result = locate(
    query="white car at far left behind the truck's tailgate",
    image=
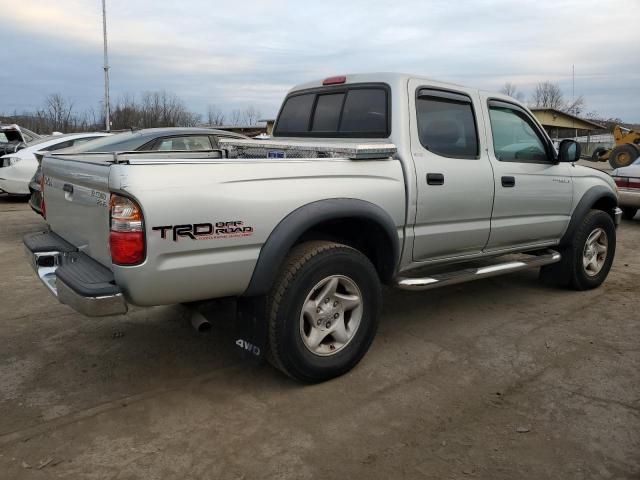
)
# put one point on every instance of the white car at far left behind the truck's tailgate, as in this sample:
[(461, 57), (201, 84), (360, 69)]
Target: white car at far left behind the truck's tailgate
[(16, 169)]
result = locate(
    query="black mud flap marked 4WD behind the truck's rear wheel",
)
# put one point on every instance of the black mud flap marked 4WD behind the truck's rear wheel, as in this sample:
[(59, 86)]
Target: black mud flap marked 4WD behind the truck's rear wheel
[(251, 328)]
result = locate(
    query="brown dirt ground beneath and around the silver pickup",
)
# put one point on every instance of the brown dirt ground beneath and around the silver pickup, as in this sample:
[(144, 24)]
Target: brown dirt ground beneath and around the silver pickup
[(497, 379)]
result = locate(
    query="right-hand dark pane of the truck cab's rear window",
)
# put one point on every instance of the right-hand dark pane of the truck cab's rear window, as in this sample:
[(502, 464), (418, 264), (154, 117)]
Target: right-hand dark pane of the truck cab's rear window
[(365, 110)]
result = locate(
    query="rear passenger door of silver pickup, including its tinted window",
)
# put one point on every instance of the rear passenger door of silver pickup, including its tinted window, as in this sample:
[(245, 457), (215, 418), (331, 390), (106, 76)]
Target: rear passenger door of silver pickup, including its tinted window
[(455, 180)]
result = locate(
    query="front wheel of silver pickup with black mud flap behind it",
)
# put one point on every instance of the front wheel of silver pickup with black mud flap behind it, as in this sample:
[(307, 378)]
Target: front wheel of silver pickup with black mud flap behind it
[(571, 271)]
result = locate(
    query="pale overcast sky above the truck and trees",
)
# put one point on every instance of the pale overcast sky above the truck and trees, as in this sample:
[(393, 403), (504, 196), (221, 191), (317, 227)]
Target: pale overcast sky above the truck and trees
[(250, 52)]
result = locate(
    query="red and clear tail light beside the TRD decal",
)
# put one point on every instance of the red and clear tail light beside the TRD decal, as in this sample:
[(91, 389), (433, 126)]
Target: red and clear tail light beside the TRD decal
[(126, 238)]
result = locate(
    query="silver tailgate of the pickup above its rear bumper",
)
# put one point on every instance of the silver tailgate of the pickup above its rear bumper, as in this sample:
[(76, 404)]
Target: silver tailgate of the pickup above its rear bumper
[(76, 195)]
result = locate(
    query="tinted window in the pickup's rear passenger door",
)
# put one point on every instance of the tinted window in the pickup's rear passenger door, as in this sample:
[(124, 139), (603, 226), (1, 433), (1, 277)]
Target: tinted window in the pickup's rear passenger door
[(446, 124)]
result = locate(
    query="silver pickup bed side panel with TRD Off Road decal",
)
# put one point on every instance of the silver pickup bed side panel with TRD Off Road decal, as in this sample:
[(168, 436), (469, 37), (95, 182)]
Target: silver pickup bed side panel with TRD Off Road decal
[(258, 193)]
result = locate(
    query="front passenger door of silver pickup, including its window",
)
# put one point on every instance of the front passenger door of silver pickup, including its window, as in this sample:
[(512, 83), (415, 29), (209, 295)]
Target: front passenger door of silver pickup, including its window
[(534, 193)]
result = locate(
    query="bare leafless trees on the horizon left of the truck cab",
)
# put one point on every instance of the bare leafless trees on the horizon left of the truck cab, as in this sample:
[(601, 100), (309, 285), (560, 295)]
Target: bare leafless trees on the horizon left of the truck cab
[(149, 110)]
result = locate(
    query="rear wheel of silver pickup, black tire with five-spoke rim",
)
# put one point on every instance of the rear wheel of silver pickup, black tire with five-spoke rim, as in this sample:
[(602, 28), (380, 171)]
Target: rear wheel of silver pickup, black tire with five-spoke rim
[(294, 347)]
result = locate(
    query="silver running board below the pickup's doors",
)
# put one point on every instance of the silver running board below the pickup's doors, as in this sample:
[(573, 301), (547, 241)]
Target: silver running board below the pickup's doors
[(546, 257)]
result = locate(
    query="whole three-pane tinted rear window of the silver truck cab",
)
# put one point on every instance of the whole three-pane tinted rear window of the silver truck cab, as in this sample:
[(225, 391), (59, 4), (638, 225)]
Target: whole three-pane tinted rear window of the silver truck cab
[(352, 111)]
